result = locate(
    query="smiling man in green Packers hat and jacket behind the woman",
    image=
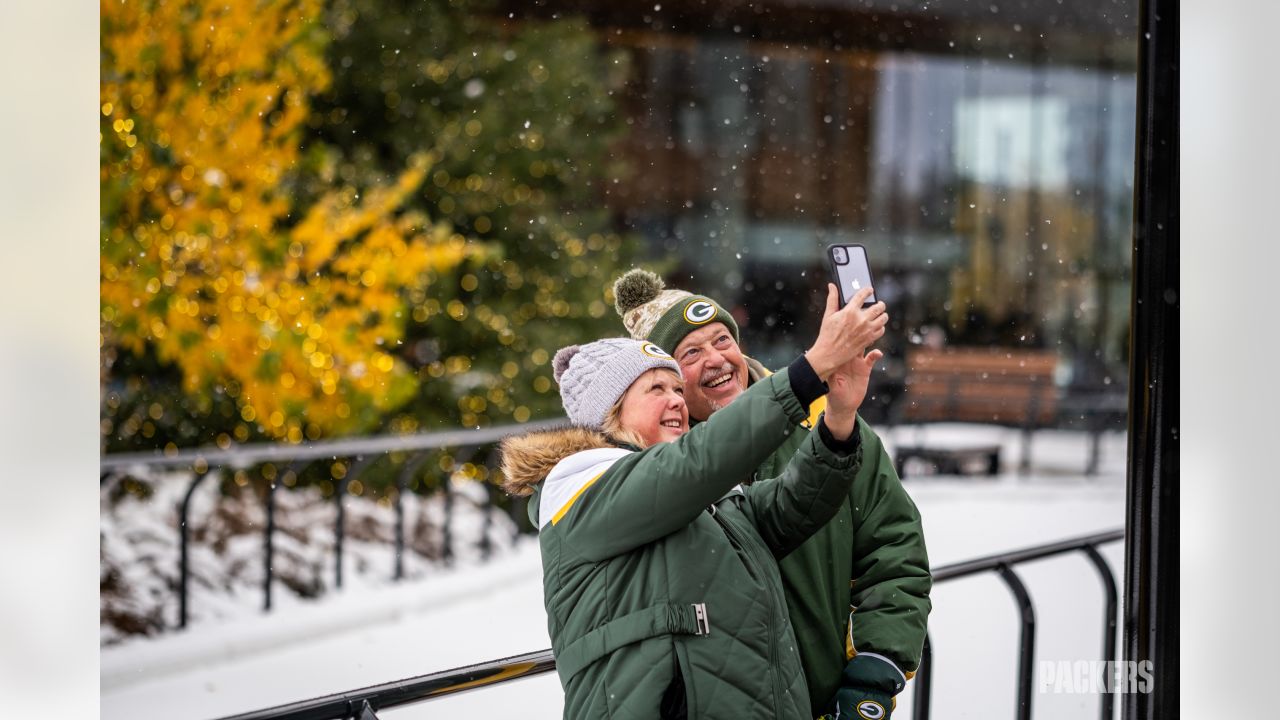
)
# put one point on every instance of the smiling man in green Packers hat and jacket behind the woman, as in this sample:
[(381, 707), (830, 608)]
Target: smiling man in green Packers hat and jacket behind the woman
[(858, 591)]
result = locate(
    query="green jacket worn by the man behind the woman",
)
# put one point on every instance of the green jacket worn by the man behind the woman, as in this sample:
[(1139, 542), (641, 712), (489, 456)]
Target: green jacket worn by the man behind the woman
[(861, 585)]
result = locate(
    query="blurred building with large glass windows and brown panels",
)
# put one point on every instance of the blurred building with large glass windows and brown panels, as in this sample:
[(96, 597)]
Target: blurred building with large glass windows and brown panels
[(981, 151)]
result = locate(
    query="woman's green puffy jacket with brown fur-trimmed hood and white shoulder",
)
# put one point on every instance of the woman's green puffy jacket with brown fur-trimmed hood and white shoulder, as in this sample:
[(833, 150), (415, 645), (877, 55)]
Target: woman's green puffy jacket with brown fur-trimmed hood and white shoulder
[(660, 571)]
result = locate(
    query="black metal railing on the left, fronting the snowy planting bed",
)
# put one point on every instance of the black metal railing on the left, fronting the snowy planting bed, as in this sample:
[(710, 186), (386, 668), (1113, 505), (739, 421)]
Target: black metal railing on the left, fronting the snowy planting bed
[(362, 453)]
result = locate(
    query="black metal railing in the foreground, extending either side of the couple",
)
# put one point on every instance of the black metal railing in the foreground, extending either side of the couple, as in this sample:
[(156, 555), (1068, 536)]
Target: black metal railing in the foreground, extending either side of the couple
[(364, 704)]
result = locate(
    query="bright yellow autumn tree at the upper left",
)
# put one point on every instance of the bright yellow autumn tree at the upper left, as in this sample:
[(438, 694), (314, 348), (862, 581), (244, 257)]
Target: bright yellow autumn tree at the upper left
[(211, 268)]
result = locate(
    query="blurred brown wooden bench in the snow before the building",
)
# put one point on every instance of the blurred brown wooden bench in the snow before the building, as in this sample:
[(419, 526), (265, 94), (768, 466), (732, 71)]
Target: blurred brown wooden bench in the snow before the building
[(1011, 388)]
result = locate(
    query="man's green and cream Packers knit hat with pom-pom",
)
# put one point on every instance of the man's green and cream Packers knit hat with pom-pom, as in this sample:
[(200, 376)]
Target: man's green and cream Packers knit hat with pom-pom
[(665, 317)]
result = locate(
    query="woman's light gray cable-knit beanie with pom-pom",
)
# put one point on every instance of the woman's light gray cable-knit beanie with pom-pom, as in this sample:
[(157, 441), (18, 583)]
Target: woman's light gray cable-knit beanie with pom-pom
[(595, 376)]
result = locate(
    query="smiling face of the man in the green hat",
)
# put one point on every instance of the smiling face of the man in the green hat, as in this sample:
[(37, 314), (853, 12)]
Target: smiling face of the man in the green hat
[(714, 367)]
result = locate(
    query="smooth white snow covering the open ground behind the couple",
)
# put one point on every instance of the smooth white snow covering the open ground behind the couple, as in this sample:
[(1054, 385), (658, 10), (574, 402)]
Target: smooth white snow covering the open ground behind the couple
[(371, 635)]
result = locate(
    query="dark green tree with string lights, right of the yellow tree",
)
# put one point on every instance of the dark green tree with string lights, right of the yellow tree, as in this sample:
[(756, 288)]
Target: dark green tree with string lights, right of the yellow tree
[(522, 121)]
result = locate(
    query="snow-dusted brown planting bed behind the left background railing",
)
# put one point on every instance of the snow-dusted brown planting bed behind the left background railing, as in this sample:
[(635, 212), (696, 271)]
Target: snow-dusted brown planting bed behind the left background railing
[(140, 548)]
